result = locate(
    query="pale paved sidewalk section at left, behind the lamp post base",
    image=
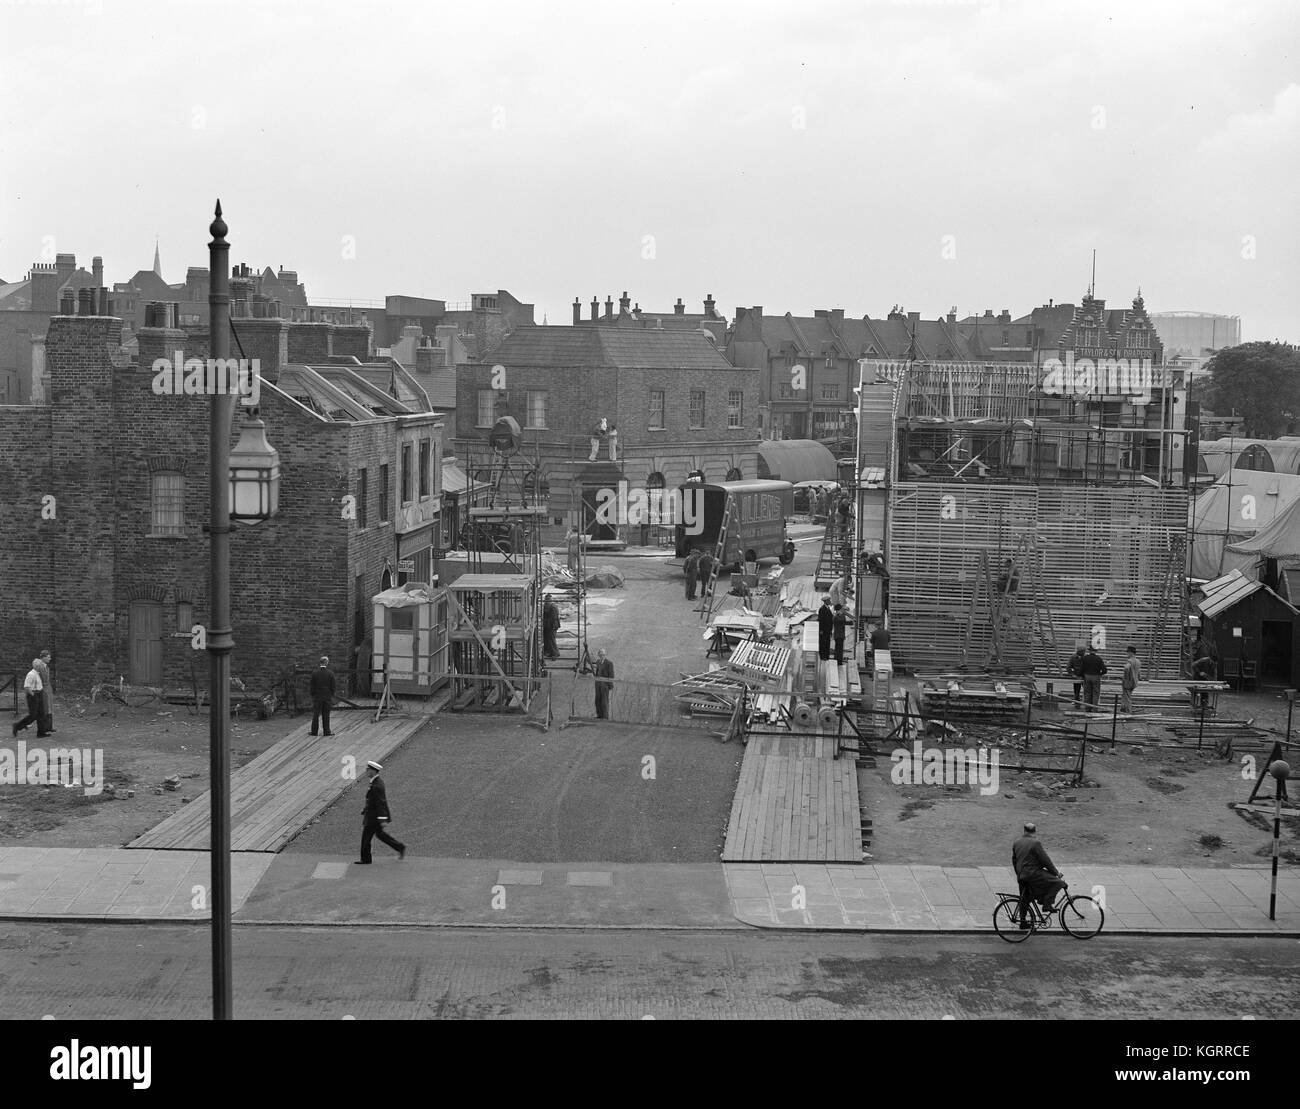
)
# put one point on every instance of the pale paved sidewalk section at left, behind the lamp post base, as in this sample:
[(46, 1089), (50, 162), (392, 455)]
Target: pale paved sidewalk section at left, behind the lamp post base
[(114, 883)]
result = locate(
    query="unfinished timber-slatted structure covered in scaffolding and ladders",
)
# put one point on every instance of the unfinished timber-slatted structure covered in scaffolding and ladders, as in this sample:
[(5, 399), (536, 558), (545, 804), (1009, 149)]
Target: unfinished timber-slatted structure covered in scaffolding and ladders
[(985, 479)]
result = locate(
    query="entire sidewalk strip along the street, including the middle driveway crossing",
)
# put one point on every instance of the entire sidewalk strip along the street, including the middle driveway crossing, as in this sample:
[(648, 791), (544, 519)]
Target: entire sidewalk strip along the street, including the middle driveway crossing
[(116, 885)]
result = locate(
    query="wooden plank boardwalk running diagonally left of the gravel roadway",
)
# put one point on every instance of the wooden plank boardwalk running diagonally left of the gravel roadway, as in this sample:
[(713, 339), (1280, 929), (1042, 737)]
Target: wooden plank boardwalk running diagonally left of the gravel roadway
[(276, 795)]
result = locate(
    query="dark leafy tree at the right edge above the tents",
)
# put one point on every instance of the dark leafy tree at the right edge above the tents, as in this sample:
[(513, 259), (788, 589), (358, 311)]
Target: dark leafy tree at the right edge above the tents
[(1260, 383)]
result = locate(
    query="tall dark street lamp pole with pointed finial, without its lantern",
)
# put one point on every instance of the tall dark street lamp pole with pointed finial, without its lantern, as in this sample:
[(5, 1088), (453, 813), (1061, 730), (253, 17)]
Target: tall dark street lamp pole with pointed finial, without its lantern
[(220, 639)]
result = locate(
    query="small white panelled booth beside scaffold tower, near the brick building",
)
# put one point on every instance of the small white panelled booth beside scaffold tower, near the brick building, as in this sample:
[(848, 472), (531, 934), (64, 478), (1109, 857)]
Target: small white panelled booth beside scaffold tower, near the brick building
[(410, 639)]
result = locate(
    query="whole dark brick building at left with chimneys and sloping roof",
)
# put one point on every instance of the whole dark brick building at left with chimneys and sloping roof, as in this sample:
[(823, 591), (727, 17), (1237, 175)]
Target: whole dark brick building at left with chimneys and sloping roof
[(105, 491)]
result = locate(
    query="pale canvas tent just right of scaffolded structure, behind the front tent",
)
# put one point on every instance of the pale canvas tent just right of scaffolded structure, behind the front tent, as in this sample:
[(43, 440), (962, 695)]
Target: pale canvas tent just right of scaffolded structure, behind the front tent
[(1236, 509)]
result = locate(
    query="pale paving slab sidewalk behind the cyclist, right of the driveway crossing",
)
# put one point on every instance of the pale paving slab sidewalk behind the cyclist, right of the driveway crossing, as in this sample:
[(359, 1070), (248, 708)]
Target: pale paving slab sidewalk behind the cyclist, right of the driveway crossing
[(926, 899)]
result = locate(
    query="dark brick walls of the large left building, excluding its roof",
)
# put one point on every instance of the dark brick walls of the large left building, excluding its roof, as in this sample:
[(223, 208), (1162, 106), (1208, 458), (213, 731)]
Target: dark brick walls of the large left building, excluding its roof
[(70, 583)]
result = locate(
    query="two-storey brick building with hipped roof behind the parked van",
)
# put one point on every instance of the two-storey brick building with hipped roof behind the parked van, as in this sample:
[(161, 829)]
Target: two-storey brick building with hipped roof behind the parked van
[(679, 406)]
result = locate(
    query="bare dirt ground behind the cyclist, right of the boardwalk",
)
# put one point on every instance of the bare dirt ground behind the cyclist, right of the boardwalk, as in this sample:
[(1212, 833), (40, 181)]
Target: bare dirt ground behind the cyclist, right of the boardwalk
[(1143, 803)]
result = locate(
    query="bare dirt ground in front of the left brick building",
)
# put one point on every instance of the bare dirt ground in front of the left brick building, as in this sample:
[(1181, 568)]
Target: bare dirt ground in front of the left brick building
[(142, 747)]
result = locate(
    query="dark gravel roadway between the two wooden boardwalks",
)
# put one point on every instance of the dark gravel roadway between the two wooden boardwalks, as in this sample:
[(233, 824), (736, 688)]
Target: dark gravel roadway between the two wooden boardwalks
[(483, 787)]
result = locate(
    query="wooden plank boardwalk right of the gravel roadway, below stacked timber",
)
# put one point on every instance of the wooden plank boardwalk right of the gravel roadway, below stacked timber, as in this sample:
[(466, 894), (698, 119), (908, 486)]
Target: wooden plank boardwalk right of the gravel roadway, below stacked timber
[(795, 803)]
